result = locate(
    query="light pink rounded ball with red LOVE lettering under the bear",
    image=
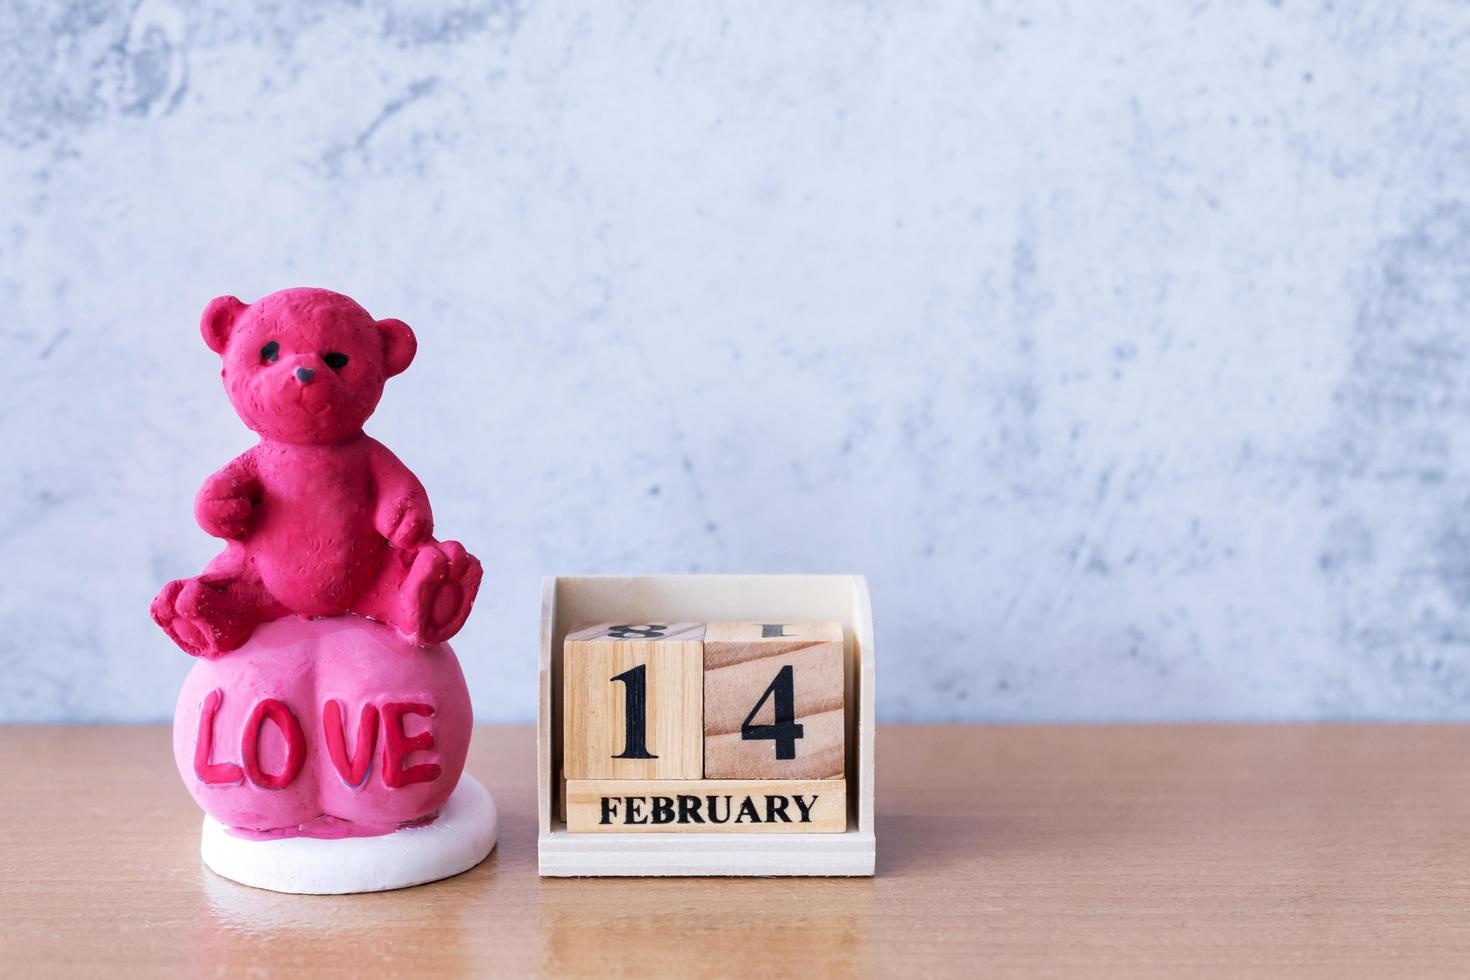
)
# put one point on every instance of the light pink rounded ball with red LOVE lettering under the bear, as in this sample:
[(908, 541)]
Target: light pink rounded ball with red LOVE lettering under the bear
[(336, 728)]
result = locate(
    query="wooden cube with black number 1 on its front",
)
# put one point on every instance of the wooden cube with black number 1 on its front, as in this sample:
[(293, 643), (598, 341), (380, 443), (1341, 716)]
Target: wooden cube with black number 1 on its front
[(633, 702)]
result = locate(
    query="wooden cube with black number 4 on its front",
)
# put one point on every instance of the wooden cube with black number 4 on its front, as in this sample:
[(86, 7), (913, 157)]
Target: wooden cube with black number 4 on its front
[(774, 702)]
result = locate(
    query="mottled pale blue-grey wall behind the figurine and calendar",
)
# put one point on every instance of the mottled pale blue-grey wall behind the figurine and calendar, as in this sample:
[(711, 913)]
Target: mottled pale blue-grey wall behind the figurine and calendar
[(1122, 346)]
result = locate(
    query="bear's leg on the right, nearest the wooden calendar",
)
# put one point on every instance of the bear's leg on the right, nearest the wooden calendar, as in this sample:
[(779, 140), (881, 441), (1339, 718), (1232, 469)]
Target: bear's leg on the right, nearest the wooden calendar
[(427, 594)]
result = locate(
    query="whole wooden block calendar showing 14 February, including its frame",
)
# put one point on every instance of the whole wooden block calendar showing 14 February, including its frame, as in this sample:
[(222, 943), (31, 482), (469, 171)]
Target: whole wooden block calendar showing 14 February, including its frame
[(761, 766)]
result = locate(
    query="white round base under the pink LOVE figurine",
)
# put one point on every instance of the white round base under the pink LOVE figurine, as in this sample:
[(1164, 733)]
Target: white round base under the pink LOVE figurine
[(461, 838)]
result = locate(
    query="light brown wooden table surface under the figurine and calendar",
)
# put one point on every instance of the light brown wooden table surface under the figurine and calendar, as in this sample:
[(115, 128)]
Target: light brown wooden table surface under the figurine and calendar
[(1003, 851)]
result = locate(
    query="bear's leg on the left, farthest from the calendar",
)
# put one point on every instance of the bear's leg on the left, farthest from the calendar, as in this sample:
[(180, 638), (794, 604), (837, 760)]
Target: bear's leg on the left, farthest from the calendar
[(215, 612)]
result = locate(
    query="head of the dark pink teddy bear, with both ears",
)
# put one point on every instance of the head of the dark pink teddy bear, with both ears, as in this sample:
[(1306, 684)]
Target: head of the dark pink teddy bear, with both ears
[(305, 367)]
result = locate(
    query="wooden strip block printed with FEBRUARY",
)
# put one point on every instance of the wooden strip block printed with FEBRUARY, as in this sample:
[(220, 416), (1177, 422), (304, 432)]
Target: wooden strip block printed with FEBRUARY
[(706, 806)]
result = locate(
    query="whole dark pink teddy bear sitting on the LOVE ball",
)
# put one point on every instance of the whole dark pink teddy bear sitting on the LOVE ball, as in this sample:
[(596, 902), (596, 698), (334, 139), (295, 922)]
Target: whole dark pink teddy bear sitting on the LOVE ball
[(320, 519)]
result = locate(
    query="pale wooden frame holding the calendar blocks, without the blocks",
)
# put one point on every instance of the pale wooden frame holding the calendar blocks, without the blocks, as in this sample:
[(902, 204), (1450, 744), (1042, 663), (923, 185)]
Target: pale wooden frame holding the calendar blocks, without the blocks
[(570, 602)]
